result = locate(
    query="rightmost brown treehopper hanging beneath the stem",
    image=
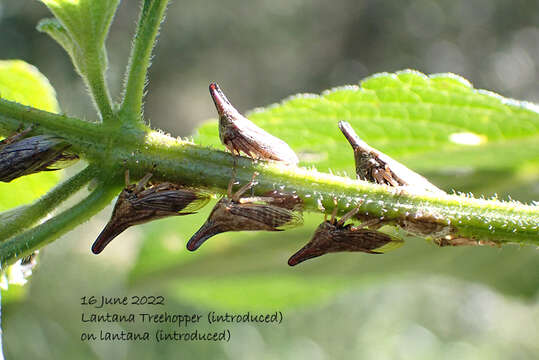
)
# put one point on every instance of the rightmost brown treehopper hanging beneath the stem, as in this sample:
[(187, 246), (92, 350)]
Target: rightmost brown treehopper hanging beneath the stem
[(335, 236)]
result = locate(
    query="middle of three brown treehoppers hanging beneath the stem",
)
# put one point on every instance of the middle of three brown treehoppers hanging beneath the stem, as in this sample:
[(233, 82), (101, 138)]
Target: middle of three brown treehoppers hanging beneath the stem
[(234, 213)]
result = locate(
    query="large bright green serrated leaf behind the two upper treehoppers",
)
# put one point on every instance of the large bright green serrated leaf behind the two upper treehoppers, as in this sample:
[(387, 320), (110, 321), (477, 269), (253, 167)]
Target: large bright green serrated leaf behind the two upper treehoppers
[(427, 122)]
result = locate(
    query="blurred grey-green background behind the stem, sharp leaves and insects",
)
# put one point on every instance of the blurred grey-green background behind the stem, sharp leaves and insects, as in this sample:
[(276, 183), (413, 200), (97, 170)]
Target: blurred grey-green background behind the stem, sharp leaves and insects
[(419, 302)]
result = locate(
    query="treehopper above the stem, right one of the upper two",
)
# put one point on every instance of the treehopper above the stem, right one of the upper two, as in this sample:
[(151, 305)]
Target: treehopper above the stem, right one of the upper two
[(375, 166)]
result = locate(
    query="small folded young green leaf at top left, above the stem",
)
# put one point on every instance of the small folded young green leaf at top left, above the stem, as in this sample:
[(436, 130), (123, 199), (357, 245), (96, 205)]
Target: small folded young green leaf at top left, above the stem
[(81, 28)]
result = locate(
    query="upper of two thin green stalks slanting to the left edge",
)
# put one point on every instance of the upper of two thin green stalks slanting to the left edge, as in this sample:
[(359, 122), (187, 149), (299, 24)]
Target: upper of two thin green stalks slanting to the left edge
[(16, 220)]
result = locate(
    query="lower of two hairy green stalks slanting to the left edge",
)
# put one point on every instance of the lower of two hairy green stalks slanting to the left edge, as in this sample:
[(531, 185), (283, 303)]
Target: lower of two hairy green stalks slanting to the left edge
[(31, 240)]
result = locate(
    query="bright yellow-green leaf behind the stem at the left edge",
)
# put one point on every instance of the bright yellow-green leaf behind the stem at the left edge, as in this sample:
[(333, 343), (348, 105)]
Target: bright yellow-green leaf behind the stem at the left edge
[(24, 84)]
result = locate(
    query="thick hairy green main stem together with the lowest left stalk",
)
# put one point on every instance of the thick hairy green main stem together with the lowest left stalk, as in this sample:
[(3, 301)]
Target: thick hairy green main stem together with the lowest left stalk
[(193, 165)]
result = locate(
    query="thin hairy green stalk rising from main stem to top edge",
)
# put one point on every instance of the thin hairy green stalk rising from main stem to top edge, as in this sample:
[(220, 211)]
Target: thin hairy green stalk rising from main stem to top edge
[(151, 16)]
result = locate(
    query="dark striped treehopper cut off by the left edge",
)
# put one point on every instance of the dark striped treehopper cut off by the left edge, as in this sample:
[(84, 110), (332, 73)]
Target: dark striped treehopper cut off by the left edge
[(32, 155)]
